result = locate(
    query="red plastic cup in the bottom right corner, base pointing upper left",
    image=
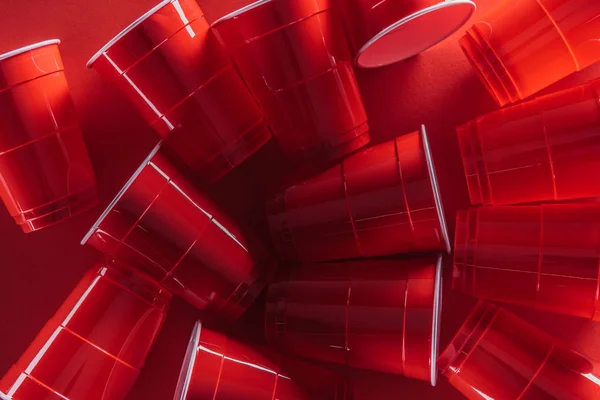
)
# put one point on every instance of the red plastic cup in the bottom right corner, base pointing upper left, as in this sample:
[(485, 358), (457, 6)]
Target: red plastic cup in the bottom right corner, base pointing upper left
[(497, 355)]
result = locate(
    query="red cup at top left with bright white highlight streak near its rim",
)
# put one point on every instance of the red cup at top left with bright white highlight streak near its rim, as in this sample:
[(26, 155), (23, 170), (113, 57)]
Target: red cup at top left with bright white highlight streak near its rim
[(181, 80)]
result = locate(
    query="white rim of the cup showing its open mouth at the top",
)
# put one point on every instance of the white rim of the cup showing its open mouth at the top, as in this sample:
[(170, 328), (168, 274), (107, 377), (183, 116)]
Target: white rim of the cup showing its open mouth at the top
[(436, 7)]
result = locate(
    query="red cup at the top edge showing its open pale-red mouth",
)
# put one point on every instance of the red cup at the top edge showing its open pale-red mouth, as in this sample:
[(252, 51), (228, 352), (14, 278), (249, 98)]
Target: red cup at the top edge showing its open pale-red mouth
[(388, 31)]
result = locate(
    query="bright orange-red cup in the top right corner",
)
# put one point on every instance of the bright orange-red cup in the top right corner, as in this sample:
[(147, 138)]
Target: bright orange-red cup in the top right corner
[(523, 46)]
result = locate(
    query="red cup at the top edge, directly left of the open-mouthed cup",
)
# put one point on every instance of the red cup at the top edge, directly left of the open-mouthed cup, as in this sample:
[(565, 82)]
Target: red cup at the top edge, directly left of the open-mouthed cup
[(294, 57)]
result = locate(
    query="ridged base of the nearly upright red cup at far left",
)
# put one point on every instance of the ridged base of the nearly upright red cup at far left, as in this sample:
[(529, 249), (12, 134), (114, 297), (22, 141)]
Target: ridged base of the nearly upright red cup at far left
[(77, 204)]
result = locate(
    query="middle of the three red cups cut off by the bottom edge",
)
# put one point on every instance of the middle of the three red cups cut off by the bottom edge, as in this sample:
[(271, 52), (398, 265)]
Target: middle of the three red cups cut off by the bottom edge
[(219, 368)]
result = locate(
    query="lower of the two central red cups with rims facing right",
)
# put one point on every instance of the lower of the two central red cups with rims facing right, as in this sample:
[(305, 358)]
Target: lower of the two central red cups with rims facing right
[(381, 315)]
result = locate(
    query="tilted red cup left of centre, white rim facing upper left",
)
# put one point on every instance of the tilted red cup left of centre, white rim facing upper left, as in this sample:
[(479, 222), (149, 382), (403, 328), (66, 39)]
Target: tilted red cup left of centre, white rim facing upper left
[(159, 223)]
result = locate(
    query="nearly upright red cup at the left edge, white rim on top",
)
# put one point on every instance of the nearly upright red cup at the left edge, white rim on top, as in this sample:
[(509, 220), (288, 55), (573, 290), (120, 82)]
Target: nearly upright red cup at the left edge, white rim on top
[(45, 169)]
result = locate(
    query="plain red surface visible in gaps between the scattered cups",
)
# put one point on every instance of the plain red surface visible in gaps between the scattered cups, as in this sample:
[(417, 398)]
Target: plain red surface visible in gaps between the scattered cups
[(38, 270)]
